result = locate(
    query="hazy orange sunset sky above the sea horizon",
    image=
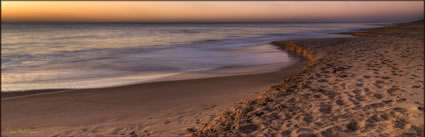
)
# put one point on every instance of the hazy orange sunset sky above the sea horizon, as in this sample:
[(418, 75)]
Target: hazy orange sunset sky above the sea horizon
[(209, 11)]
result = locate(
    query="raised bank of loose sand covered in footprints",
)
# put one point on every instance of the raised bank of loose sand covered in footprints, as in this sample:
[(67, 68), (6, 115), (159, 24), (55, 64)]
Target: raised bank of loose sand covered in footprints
[(371, 85)]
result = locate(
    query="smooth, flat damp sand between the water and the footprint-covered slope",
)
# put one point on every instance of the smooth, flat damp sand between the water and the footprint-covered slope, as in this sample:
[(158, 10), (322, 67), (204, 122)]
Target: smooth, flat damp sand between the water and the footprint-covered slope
[(150, 109)]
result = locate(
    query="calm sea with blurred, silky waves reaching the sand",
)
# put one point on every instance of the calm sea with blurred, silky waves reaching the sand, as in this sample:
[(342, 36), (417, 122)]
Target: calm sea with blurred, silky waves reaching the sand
[(78, 55)]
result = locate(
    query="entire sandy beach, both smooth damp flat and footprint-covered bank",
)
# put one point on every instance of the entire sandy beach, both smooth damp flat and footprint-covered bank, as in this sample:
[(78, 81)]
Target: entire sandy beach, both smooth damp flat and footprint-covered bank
[(370, 85)]
